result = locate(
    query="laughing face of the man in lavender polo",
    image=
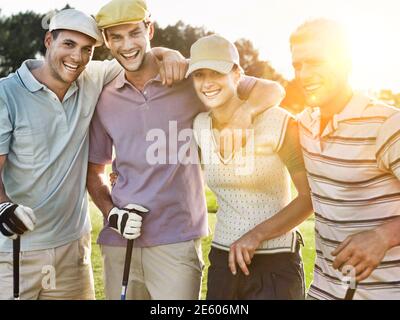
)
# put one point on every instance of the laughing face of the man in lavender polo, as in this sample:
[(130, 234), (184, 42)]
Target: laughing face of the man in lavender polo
[(129, 44)]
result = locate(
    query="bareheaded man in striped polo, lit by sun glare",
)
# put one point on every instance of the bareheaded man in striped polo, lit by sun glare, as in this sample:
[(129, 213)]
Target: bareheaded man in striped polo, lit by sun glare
[(351, 147)]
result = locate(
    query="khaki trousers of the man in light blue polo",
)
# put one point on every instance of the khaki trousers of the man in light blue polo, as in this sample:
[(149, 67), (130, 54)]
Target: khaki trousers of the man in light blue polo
[(63, 273)]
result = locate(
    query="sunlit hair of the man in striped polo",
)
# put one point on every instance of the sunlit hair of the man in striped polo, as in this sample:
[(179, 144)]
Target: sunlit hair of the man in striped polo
[(325, 31)]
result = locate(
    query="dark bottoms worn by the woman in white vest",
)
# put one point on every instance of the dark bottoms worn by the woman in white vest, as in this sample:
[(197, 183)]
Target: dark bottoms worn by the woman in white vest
[(277, 276)]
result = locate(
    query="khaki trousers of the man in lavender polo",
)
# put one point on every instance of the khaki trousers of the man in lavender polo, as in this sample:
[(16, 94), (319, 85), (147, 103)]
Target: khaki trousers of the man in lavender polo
[(168, 272)]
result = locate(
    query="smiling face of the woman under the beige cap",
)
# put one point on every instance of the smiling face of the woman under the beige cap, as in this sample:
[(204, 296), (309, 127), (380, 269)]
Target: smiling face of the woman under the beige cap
[(215, 89)]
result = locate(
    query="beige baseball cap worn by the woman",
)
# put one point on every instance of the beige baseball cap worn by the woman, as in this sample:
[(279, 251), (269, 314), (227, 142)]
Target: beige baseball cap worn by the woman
[(213, 52)]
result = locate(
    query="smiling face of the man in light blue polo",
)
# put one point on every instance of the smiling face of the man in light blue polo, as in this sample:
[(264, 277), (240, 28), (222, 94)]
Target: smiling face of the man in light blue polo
[(67, 54)]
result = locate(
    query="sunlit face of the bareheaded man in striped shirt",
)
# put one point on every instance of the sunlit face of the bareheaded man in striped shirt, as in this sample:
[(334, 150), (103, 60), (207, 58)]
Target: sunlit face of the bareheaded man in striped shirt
[(321, 71)]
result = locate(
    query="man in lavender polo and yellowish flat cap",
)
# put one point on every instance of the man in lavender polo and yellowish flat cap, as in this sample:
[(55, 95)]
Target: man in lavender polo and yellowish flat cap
[(145, 122)]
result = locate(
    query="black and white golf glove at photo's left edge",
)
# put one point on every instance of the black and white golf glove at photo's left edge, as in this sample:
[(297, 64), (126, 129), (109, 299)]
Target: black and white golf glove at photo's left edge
[(15, 219)]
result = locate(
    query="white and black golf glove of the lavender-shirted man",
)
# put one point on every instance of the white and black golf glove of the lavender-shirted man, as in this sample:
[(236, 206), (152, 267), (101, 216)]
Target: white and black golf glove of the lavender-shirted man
[(127, 221)]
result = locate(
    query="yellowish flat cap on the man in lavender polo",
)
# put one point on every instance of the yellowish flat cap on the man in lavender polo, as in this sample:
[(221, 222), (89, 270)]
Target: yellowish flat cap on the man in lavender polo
[(118, 12)]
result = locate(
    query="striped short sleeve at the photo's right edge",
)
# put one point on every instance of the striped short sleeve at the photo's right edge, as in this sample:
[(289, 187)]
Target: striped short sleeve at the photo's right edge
[(388, 145)]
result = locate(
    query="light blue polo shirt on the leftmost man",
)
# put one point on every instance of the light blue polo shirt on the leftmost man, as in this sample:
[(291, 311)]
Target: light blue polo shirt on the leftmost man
[(46, 143)]
